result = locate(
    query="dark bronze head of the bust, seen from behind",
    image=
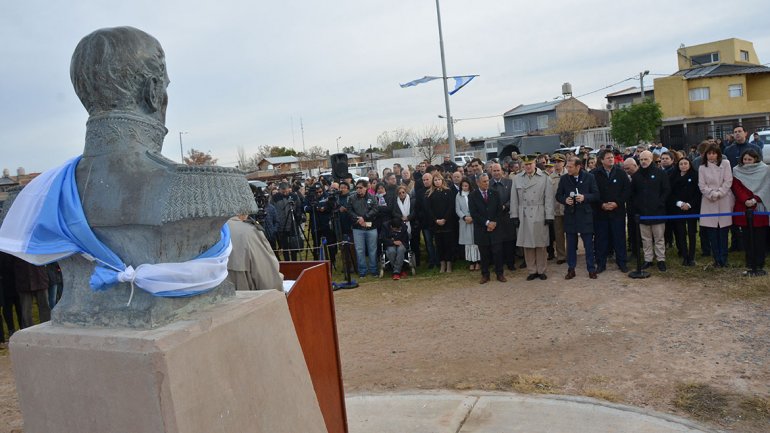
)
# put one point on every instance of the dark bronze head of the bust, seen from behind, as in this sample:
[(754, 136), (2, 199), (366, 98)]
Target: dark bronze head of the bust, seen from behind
[(121, 69)]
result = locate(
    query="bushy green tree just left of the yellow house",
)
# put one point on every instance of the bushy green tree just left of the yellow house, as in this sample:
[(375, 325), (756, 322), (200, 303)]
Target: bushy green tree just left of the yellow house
[(639, 122)]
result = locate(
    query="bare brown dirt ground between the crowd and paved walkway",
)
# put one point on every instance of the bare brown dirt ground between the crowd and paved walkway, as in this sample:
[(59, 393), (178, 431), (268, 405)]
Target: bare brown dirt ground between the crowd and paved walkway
[(695, 345)]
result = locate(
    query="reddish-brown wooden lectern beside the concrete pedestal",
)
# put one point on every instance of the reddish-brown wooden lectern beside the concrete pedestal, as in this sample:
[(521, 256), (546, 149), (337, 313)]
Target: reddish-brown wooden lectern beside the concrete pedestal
[(311, 305)]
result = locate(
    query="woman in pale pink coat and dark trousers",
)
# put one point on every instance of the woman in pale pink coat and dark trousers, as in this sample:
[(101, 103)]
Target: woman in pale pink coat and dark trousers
[(715, 177)]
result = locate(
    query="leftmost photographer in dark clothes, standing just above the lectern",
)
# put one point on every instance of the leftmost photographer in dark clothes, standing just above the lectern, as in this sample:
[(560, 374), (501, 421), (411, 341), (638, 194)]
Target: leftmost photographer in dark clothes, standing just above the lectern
[(288, 217)]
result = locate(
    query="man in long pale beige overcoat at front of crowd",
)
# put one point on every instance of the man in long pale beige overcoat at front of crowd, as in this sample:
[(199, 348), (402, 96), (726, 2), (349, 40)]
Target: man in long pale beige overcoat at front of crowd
[(532, 204)]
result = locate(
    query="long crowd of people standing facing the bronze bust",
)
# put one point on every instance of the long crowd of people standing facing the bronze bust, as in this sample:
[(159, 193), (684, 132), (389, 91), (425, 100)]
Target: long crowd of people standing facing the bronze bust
[(532, 209)]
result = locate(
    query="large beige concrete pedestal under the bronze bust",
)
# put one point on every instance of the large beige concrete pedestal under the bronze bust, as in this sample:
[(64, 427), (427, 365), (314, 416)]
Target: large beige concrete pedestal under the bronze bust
[(236, 368)]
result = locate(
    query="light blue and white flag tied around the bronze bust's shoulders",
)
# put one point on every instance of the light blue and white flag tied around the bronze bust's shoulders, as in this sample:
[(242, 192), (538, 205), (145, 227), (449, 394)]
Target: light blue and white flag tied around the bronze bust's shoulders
[(46, 223)]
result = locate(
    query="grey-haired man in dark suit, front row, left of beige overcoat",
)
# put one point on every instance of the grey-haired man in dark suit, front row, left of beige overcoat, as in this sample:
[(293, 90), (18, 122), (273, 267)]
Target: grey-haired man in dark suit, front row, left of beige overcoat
[(486, 210)]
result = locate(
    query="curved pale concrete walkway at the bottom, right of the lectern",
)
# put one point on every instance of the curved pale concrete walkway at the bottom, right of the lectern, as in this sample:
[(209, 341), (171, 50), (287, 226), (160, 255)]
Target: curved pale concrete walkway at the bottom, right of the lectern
[(477, 412)]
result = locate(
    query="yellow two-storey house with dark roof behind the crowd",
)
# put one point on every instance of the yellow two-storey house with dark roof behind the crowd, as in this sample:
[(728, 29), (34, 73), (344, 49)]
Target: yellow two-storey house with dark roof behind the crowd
[(718, 84)]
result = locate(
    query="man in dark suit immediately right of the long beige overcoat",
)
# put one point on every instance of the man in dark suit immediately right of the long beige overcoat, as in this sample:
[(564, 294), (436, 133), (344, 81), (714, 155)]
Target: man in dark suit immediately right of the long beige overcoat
[(577, 192)]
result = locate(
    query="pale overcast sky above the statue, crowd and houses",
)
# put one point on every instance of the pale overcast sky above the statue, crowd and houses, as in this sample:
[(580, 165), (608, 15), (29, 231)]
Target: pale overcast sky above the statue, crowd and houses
[(244, 73)]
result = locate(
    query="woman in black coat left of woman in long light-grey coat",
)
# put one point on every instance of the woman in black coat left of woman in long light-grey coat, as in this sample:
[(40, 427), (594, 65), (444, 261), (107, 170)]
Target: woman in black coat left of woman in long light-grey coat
[(441, 217)]
